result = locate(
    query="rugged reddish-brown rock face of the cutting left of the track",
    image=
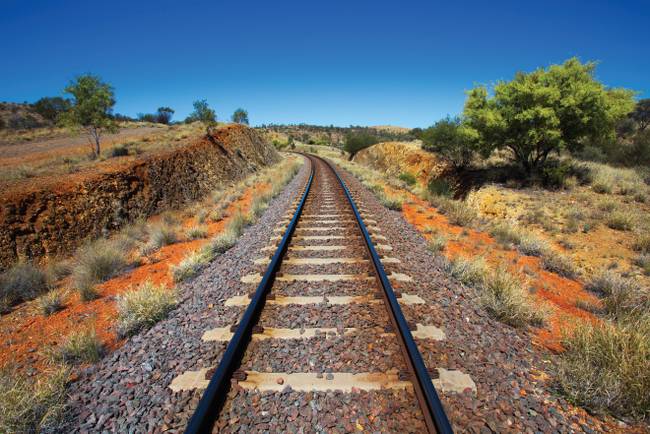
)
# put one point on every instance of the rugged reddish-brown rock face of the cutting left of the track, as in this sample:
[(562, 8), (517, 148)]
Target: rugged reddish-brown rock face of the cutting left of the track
[(56, 218)]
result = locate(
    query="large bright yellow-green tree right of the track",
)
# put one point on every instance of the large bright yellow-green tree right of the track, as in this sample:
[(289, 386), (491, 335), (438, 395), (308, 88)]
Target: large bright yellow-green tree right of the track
[(546, 111)]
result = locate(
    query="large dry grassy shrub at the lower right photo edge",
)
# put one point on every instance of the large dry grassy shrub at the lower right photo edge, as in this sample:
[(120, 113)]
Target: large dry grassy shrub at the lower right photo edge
[(607, 367)]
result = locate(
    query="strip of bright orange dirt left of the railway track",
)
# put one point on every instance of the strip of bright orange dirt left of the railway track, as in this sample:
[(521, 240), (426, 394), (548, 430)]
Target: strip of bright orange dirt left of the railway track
[(25, 333)]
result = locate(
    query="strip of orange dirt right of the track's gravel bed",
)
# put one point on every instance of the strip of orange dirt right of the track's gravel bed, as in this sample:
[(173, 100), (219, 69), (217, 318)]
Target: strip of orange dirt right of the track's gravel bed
[(559, 293)]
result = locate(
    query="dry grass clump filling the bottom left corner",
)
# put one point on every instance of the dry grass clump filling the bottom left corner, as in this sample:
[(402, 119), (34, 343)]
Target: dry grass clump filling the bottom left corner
[(30, 405)]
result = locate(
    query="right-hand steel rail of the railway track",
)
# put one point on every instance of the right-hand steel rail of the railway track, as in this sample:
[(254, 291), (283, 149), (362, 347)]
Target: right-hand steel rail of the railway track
[(432, 409)]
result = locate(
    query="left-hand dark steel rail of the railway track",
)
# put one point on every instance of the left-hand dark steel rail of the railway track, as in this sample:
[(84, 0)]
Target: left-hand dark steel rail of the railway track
[(215, 394)]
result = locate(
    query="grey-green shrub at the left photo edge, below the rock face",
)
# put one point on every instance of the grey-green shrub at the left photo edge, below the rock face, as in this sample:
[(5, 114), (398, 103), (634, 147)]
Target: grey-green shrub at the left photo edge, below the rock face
[(21, 282)]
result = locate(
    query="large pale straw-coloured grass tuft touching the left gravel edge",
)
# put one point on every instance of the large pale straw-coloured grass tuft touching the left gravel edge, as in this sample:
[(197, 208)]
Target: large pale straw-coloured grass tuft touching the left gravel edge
[(141, 308)]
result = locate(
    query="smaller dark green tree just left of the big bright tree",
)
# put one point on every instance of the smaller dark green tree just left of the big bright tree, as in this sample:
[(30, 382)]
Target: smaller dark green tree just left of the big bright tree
[(451, 140)]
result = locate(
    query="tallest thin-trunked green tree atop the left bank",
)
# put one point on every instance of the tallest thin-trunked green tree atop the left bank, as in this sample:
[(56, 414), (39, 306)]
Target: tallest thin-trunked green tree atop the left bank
[(92, 104)]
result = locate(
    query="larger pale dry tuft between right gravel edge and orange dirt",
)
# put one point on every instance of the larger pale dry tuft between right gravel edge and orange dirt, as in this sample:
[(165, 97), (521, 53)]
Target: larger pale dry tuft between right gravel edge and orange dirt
[(504, 298)]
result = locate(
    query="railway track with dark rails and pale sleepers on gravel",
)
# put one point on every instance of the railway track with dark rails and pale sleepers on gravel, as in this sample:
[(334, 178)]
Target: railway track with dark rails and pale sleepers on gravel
[(324, 316)]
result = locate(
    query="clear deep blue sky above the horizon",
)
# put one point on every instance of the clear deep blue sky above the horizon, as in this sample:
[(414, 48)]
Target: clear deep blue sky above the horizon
[(329, 62)]
